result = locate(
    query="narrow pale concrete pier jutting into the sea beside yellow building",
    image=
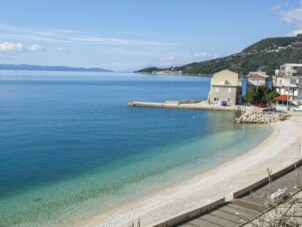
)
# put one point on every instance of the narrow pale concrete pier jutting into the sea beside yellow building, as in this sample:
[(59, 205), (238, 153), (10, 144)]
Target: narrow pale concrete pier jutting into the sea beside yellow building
[(187, 104)]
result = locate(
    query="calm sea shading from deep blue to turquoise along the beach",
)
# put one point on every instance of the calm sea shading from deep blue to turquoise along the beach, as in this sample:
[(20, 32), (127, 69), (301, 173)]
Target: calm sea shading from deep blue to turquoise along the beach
[(71, 148)]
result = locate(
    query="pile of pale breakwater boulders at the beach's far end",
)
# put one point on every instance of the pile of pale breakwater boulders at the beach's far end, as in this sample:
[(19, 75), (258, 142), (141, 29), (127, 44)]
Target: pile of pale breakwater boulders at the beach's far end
[(258, 116)]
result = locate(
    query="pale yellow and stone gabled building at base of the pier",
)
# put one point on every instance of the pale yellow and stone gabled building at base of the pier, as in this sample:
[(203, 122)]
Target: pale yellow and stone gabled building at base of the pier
[(224, 87)]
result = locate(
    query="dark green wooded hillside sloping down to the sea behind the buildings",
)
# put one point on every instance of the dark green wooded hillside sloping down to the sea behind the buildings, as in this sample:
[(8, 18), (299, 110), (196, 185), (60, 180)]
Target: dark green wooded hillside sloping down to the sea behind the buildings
[(265, 55)]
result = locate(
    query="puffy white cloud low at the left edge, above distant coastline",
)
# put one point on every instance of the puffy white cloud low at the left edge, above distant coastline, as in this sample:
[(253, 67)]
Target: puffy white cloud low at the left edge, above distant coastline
[(16, 48)]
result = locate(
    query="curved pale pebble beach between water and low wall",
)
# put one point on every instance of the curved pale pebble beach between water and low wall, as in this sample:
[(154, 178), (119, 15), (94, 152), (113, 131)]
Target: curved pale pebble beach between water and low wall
[(277, 152)]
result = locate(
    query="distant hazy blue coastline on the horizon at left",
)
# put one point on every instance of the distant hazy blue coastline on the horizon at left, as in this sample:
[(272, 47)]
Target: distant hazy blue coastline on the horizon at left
[(50, 68)]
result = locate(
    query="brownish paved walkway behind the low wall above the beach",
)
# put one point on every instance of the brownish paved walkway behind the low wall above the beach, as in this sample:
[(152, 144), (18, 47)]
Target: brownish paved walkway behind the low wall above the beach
[(240, 210)]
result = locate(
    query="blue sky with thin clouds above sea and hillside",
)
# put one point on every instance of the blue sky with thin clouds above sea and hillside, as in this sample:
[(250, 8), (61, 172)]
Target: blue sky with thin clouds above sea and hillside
[(125, 35)]
